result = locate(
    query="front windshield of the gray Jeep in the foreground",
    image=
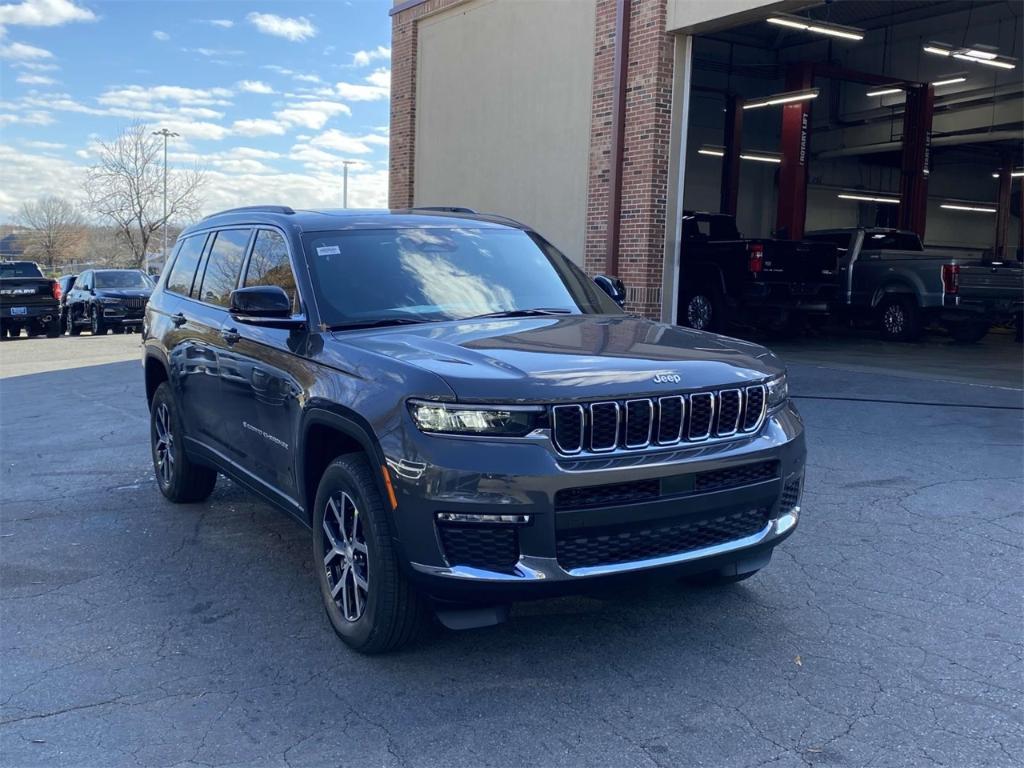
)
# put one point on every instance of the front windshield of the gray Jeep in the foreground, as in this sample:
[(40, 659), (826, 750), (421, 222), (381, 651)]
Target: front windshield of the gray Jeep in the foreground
[(425, 275)]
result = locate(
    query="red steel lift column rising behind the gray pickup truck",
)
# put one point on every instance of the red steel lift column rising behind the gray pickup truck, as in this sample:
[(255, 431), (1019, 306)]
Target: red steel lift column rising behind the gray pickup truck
[(916, 163)]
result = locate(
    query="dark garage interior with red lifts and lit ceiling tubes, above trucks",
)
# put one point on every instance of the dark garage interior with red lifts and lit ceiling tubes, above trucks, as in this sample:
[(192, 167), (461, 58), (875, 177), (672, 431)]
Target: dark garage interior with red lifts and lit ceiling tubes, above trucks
[(946, 69)]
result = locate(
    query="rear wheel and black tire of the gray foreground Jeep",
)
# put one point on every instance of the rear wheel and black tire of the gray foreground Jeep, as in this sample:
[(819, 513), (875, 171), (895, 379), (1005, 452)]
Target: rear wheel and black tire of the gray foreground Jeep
[(181, 480)]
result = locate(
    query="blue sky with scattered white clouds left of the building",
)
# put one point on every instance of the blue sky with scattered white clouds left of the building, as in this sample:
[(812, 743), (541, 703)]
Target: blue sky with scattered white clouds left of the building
[(269, 97)]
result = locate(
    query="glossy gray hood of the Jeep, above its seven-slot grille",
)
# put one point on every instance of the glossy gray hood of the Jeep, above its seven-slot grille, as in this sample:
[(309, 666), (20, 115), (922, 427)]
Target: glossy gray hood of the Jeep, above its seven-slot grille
[(575, 358)]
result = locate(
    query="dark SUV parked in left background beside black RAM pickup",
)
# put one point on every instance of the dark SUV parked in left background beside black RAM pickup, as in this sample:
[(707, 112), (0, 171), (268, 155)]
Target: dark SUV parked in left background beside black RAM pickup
[(105, 300)]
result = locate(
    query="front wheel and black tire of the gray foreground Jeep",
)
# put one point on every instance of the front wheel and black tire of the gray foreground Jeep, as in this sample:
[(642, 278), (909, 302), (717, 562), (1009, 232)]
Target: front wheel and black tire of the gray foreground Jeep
[(385, 614)]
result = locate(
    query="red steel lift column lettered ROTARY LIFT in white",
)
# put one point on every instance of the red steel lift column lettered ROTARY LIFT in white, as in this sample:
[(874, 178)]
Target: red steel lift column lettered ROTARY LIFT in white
[(795, 146)]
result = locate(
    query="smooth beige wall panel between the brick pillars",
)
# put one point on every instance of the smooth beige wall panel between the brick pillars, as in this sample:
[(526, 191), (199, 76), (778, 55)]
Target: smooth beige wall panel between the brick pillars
[(504, 112)]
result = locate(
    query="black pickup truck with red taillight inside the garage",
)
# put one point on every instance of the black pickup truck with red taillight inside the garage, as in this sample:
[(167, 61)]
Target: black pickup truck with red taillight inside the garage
[(728, 279)]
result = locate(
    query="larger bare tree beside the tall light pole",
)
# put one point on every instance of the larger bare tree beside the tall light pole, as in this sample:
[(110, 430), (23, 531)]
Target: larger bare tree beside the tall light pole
[(126, 187)]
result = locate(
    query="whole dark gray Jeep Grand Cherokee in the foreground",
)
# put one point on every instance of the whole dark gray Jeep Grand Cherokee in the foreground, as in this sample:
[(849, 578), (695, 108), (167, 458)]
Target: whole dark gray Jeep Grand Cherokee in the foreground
[(459, 414)]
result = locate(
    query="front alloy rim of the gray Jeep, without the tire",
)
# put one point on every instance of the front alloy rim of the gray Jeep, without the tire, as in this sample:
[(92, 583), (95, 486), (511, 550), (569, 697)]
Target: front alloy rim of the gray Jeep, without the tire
[(348, 560)]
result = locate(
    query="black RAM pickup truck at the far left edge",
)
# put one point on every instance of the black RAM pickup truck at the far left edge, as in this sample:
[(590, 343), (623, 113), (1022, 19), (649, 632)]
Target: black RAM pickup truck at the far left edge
[(28, 301)]
